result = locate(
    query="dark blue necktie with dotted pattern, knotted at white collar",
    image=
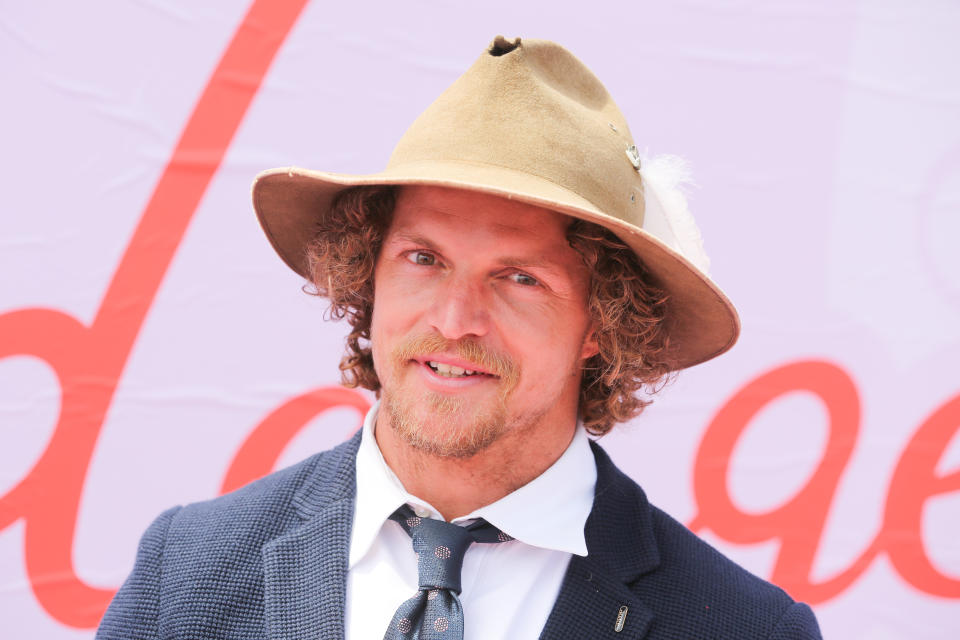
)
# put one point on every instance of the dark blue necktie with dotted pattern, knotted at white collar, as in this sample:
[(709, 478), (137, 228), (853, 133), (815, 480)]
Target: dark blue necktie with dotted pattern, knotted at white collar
[(434, 613)]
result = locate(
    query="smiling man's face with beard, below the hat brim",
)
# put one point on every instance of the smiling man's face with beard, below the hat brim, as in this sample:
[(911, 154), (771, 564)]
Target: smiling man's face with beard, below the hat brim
[(471, 282)]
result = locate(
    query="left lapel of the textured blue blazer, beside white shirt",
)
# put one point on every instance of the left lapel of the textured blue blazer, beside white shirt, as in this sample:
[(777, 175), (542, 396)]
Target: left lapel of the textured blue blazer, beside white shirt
[(305, 568)]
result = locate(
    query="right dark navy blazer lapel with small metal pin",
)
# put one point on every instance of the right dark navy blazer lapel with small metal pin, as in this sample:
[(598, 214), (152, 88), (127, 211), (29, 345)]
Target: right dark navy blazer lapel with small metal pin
[(595, 600)]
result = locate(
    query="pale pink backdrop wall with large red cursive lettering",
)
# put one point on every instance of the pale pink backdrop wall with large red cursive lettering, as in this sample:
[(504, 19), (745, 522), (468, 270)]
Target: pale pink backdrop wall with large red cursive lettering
[(154, 350)]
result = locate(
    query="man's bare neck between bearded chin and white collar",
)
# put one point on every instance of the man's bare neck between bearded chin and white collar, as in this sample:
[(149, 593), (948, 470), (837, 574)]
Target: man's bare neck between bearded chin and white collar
[(459, 486)]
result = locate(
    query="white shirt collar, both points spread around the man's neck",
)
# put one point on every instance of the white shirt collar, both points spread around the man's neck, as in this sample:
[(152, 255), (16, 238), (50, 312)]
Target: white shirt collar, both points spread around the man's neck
[(548, 512)]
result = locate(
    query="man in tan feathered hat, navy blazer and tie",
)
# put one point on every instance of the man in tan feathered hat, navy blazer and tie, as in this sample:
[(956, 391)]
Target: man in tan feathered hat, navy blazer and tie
[(513, 279)]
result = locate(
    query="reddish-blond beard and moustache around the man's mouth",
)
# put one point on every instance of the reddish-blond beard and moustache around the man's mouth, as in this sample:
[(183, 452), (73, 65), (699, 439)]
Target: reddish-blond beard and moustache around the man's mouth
[(445, 426)]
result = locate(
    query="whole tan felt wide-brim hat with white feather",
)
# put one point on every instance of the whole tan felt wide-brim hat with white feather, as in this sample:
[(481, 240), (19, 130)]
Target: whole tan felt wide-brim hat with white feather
[(530, 122)]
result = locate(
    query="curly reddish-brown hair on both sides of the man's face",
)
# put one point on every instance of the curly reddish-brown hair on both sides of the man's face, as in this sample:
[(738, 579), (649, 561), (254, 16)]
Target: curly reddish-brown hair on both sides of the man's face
[(627, 309)]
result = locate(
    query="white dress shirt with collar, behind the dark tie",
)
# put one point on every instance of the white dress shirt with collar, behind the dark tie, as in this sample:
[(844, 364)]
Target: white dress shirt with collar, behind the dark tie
[(508, 588)]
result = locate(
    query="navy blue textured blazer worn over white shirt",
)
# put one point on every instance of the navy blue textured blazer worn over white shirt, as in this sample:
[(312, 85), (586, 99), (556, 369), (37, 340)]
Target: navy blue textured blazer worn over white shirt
[(270, 561)]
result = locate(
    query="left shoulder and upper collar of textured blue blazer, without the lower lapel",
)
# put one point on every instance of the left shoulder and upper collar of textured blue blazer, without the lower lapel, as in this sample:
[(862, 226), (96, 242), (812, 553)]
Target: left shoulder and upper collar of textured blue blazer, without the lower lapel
[(199, 568)]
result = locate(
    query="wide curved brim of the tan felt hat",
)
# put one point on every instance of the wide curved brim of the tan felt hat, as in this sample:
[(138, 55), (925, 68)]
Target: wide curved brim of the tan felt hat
[(701, 321)]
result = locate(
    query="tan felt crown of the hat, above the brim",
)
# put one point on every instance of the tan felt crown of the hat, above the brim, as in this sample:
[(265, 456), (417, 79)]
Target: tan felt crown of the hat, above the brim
[(532, 107)]
